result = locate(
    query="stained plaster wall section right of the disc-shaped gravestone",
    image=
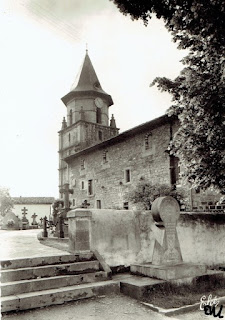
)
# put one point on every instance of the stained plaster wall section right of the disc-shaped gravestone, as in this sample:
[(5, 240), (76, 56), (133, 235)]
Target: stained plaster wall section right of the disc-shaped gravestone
[(202, 238)]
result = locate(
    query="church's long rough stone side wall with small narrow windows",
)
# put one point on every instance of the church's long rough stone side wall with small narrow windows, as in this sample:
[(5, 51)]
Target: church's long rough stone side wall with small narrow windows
[(109, 177)]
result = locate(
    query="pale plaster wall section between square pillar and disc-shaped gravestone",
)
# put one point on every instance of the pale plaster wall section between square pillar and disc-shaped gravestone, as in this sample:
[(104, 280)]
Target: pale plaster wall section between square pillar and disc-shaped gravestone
[(122, 237)]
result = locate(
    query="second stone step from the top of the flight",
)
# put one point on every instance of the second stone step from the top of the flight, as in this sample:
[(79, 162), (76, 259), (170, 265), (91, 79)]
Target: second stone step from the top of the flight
[(48, 271)]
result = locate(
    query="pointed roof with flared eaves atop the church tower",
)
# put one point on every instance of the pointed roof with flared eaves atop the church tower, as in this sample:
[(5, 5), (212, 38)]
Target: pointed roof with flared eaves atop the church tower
[(87, 83)]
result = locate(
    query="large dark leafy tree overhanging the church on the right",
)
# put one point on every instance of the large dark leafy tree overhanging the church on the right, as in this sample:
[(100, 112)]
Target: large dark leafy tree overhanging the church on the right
[(198, 93)]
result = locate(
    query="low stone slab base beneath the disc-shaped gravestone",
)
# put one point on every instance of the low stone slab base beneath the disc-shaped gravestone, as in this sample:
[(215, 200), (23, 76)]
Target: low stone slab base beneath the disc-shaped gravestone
[(168, 272)]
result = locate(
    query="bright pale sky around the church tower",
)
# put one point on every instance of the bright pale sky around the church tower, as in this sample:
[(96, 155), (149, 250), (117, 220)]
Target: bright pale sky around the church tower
[(43, 45)]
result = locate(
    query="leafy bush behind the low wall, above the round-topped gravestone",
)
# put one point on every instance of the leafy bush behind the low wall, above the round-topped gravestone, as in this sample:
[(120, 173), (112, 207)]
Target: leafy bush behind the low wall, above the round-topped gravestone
[(145, 193)]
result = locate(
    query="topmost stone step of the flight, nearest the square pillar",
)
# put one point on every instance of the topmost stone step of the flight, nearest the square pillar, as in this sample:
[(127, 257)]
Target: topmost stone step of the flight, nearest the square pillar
[(41, 261)]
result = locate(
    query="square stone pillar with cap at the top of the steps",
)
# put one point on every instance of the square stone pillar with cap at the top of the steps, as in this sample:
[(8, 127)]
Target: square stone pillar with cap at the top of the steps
[(79, 229)]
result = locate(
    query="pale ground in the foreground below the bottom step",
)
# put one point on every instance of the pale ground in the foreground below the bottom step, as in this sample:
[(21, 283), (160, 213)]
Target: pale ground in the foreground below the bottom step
[(105, 308)]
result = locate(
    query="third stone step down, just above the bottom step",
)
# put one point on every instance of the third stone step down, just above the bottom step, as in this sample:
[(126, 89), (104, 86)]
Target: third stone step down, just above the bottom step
[(24, 286)]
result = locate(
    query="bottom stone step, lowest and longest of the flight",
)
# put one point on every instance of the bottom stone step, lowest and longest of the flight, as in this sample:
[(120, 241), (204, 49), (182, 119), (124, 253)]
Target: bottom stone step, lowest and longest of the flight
[(43, 298)]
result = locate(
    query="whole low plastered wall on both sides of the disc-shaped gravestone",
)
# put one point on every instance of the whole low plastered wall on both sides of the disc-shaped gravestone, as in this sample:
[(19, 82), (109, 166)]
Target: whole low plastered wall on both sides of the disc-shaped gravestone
[(124, 237)]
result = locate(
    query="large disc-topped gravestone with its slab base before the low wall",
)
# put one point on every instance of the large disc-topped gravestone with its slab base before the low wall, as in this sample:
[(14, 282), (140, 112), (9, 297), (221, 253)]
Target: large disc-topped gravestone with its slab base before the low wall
[(167, 262)]
